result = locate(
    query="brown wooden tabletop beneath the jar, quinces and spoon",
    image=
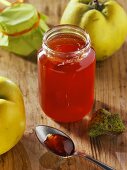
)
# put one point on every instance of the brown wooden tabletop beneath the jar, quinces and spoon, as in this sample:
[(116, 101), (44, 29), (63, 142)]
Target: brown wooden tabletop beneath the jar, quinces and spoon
[(111, 93)]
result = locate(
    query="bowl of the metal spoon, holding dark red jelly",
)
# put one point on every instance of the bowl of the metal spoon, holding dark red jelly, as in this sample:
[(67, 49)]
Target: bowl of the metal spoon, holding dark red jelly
[(60, 143)]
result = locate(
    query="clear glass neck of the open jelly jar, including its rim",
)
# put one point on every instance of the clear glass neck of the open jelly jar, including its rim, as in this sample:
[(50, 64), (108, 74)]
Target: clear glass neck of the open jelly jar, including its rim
[(67, 29)]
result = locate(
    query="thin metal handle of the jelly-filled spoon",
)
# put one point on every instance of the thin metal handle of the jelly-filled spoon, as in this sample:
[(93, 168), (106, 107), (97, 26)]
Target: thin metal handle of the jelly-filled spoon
[(100, 164)]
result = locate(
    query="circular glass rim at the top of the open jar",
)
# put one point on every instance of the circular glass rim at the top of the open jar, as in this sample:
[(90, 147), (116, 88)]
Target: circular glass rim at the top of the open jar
[(69, 27)]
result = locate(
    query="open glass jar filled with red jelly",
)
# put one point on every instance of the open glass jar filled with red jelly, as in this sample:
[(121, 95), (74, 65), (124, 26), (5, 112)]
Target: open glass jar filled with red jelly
[(66, 73)]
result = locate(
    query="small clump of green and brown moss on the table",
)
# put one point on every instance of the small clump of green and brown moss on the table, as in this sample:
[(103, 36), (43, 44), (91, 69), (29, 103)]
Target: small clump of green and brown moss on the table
[(104, 122)]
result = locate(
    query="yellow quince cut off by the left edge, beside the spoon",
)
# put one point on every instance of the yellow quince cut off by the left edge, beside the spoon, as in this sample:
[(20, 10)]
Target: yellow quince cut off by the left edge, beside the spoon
[(12, 115)]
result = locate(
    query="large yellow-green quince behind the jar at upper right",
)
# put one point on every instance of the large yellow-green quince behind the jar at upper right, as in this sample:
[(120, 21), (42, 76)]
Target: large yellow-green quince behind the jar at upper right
[(105, 21)]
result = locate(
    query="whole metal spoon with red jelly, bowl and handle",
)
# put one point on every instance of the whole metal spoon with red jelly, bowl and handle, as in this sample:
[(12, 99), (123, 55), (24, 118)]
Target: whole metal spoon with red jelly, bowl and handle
[(44, 133)]
